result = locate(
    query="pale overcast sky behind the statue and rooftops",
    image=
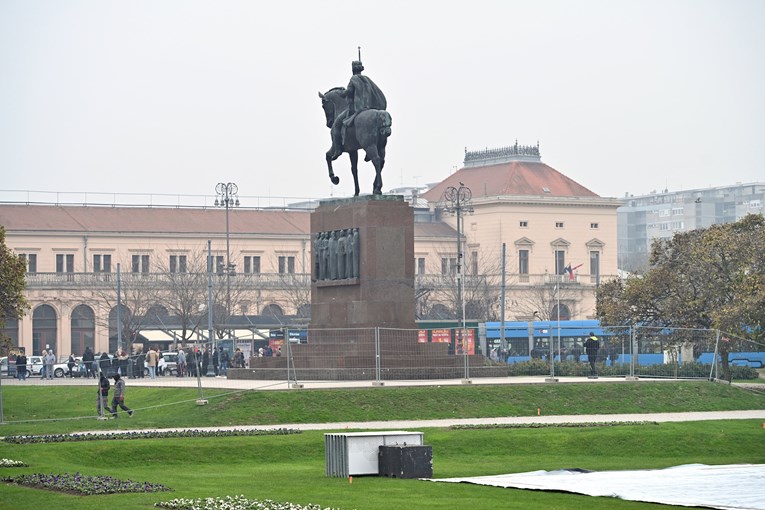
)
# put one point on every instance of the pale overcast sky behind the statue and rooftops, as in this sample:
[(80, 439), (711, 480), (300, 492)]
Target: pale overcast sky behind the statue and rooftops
[(171, 97)]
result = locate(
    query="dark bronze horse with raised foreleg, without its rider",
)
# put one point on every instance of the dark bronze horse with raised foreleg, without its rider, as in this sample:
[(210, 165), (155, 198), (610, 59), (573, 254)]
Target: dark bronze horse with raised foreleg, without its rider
[(369, 131)]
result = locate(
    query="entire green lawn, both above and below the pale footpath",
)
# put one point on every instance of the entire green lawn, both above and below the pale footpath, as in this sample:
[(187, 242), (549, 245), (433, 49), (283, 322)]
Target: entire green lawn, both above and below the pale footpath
[(291, 467)]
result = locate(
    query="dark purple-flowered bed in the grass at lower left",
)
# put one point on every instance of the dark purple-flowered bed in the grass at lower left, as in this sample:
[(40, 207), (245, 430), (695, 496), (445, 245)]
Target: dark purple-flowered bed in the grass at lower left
[(83, 485)]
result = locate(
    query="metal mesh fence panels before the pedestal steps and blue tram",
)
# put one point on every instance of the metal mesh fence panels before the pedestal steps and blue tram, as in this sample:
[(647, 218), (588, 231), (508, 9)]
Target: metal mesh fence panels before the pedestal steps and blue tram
[(379, 354)]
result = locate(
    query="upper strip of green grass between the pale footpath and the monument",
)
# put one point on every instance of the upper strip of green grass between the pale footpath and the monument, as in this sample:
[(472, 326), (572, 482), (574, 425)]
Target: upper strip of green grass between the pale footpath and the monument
[(55, 409)]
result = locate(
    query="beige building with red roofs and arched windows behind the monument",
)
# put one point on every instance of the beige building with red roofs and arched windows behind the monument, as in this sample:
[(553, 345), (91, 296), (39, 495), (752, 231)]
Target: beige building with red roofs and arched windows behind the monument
[(559, 238)]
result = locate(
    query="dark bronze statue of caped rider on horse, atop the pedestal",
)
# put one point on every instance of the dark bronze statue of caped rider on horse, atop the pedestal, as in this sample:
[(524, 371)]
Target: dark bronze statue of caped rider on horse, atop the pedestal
[(357, 119)]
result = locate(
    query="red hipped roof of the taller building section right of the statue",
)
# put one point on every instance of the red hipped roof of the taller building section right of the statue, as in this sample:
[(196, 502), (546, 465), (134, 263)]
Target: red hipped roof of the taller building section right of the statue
[(511, 178)]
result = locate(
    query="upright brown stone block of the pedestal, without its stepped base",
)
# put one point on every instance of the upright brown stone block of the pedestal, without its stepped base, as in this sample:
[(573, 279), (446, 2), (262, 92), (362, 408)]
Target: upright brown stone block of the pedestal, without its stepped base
[(377, 290)]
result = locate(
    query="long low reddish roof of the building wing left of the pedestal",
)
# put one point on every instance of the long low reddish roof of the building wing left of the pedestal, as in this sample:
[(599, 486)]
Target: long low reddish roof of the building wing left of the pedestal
[(58, 218)]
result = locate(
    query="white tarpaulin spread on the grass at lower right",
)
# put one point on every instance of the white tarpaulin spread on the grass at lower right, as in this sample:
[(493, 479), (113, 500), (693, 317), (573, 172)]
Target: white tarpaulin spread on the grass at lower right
[(728, 487)]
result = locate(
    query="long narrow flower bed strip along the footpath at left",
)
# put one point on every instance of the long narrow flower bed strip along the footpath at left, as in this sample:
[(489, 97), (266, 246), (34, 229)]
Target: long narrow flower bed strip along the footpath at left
[(61, 438)]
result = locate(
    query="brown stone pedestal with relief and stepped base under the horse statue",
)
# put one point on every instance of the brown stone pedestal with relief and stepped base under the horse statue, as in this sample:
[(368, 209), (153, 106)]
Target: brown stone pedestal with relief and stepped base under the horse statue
[(362, 303)]
